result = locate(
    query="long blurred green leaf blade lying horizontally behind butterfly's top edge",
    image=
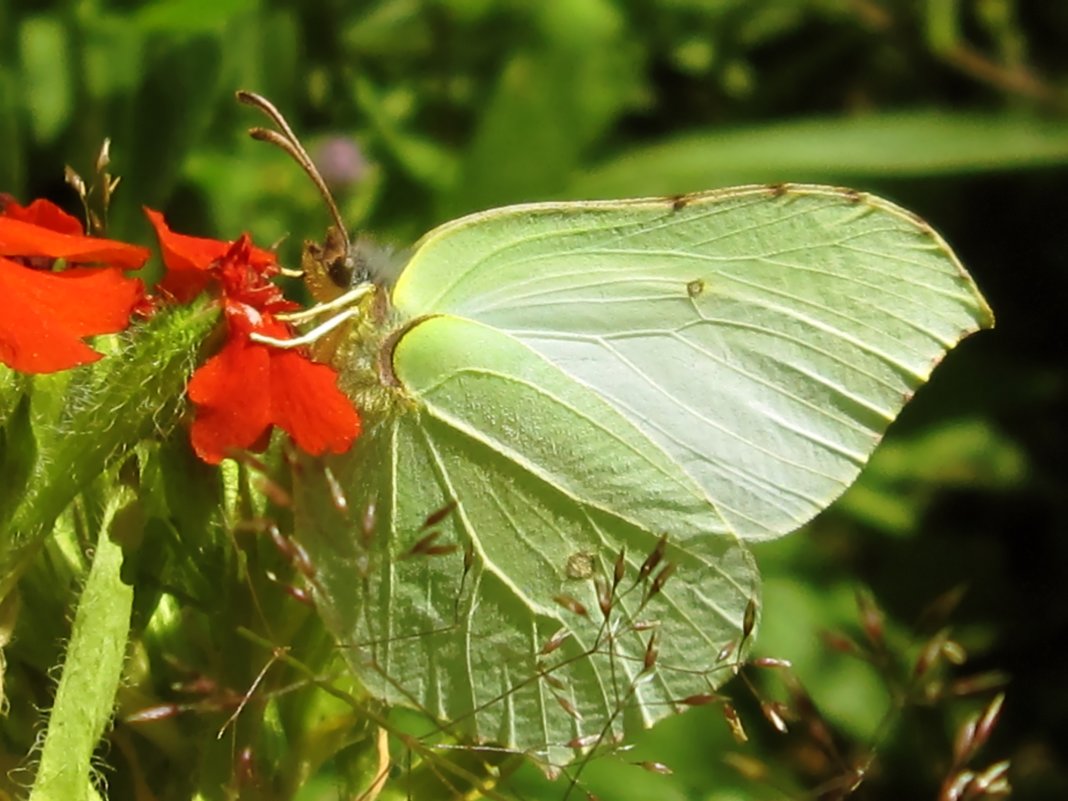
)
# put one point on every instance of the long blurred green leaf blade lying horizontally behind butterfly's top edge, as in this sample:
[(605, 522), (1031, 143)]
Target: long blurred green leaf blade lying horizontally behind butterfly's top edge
[(899, 145)]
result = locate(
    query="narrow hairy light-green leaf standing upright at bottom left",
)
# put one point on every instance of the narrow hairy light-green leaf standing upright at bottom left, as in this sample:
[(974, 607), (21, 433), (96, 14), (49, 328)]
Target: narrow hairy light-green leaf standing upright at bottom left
[(92, 668)]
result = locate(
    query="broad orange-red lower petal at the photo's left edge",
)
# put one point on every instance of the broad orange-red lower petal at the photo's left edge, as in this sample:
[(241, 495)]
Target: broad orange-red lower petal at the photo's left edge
[(48, 315)]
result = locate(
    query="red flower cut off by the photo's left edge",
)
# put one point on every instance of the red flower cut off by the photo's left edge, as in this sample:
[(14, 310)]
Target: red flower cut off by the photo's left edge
[(49, 313)]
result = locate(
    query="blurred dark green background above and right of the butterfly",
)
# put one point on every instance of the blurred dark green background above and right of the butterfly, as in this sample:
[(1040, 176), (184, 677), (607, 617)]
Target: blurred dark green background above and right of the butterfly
[(421, 111)]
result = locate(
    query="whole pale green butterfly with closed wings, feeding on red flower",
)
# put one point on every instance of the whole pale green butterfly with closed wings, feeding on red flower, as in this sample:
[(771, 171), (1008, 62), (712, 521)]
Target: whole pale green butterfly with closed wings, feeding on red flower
[(606, 401)]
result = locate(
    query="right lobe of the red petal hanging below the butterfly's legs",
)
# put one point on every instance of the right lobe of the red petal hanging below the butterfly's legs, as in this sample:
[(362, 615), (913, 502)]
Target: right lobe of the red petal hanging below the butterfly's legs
[(307, 404)]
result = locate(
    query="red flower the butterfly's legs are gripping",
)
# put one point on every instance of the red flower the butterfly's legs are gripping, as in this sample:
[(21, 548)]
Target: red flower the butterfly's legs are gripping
[(249, 387)]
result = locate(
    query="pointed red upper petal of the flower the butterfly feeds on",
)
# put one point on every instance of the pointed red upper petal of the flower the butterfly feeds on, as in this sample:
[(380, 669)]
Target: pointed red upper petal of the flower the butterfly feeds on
[(190, 258)]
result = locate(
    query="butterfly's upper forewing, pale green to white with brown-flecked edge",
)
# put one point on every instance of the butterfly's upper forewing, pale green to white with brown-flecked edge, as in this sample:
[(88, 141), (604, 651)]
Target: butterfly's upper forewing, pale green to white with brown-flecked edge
[(763, 338)]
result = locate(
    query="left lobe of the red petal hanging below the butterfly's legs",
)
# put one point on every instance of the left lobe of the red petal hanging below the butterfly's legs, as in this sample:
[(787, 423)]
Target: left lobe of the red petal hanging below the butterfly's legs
[(232, 395)]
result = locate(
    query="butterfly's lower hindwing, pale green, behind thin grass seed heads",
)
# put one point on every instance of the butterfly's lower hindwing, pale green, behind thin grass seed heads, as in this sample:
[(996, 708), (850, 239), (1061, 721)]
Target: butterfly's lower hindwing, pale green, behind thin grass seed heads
[(523, 616)]
